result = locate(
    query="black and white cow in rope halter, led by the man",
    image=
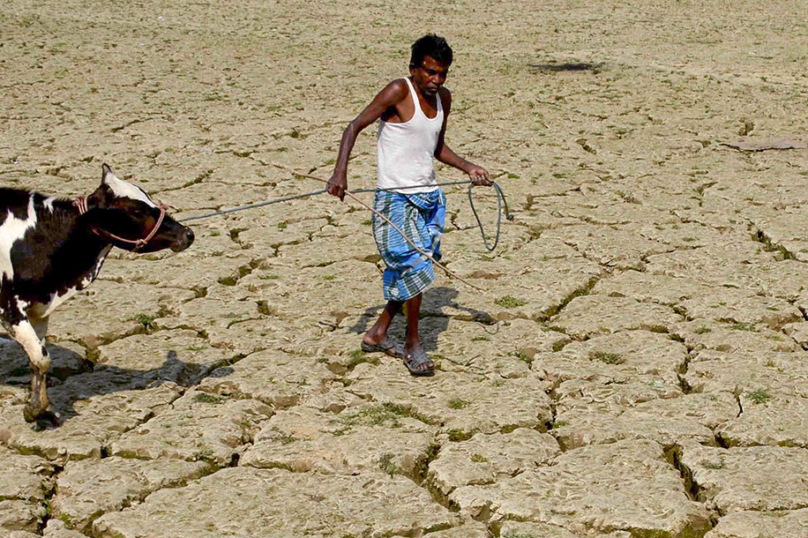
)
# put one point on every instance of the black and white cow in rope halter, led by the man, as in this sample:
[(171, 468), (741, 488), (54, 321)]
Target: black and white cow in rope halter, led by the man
[(51, 249)]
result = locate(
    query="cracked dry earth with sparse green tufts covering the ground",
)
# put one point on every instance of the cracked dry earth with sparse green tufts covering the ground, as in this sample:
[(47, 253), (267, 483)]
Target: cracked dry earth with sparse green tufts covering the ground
[(636, 369)]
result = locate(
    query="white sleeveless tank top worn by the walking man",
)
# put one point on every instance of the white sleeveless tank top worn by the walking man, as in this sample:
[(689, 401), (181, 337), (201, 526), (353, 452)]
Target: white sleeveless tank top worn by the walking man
[(405, 151)]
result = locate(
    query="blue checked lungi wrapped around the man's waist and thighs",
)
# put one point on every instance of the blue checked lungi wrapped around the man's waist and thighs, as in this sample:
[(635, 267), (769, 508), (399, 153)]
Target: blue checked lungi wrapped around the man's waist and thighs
[(421, 217)]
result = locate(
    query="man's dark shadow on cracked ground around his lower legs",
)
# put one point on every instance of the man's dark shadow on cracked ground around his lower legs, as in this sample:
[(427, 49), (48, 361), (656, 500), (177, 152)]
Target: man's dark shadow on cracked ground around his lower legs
[(434, 320)]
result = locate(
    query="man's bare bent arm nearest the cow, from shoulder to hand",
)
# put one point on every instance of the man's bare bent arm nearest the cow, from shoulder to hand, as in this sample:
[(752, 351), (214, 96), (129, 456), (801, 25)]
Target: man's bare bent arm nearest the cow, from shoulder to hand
[(390, 96)]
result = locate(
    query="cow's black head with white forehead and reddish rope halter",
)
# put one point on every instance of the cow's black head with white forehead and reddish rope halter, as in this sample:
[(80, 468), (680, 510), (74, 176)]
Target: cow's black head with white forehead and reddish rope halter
[(128, 217)]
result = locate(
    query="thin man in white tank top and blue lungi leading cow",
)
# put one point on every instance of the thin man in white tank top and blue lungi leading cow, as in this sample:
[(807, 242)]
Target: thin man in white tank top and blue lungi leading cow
[(412, 116)]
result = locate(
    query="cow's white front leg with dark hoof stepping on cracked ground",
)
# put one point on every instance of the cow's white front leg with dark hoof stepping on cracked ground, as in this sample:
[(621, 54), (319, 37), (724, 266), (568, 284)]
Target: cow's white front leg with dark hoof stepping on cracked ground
[(22, 330)]
